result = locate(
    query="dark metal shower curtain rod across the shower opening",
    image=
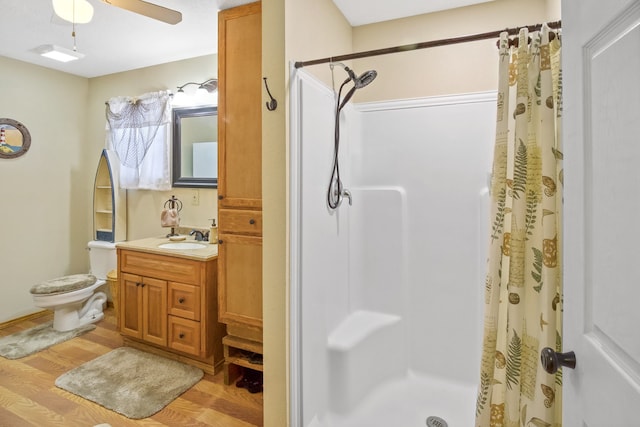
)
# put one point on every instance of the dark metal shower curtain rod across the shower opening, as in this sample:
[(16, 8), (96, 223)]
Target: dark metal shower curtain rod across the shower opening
[(435, 43)]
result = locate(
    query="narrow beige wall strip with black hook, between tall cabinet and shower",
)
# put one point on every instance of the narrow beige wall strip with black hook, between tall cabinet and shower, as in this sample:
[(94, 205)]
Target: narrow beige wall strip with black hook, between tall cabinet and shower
[(274, 213)]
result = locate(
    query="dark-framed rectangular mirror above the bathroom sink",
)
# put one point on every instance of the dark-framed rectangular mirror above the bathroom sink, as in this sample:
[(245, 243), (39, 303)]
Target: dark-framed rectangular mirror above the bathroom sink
[(195, 147)]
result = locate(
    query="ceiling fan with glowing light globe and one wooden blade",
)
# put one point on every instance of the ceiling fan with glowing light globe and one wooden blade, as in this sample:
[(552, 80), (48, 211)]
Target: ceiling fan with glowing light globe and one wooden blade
[(81, 11)]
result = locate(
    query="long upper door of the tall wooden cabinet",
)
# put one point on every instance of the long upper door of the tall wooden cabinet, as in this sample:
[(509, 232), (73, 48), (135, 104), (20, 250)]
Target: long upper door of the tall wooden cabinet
[(240, 107)]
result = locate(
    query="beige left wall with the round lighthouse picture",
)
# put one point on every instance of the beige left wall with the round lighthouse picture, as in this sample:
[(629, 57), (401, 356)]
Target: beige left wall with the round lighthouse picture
[(44, 227)]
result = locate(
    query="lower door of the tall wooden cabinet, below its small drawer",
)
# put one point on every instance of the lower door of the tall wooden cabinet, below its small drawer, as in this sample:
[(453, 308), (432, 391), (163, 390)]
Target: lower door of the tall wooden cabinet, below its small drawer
[(240, 280)]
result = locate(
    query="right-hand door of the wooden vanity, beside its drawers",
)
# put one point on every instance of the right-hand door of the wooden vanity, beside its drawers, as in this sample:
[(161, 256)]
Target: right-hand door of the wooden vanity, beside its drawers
[(154, 311)]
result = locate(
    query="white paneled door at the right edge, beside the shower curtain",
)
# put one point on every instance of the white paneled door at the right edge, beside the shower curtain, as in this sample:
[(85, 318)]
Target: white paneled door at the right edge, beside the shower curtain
[(601, 60)]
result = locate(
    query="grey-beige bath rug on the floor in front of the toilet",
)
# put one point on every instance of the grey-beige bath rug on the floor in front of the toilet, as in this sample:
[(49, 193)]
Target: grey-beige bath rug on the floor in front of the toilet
[(30, 341)]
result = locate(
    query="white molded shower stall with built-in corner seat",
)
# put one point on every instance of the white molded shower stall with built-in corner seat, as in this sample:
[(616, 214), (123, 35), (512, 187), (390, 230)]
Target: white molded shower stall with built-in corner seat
[(386, 292)]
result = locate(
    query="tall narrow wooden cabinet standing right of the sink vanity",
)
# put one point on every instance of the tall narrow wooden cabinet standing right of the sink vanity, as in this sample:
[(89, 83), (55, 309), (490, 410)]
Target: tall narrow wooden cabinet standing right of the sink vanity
[(240, 181)]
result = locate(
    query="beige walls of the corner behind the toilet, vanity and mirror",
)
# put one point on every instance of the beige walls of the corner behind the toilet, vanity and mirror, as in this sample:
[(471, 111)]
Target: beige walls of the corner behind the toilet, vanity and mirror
[(47, 194)]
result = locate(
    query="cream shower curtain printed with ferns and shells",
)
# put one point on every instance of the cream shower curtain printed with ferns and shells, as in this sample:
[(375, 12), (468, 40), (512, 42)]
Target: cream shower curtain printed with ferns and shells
[(523, 285)]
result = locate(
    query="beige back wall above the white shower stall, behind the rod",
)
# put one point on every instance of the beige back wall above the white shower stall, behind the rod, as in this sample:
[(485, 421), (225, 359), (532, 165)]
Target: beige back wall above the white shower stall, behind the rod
[(461, 68)]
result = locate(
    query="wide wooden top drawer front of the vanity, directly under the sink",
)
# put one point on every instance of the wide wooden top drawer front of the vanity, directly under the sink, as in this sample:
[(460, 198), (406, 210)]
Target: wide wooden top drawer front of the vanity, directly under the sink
[(160, 266)]
